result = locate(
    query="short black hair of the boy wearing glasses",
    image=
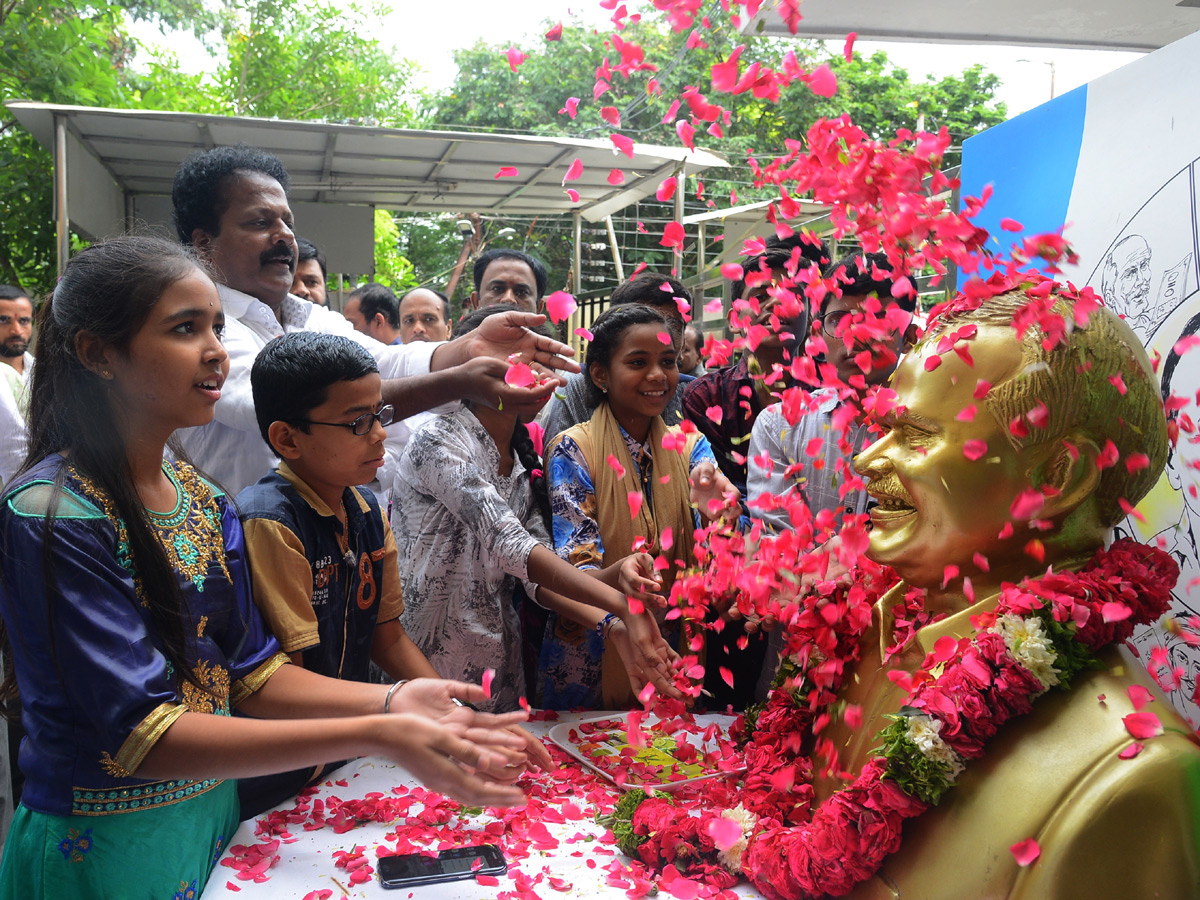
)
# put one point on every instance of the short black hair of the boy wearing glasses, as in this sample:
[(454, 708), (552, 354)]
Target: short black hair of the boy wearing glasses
[(292, 376)]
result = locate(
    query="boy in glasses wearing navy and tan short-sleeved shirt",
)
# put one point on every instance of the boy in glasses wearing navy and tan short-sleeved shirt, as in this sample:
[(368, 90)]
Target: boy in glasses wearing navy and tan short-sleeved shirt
[(323, 560)]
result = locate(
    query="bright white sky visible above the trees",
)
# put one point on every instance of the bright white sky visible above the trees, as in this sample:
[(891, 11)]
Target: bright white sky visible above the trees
[(422, 33)]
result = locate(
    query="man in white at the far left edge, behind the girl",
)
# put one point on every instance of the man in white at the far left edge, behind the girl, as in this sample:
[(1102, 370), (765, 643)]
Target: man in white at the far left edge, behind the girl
[(16, 329)]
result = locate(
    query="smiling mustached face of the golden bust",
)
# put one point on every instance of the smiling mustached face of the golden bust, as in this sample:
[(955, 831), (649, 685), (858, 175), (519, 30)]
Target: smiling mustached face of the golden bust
[(937, 507)]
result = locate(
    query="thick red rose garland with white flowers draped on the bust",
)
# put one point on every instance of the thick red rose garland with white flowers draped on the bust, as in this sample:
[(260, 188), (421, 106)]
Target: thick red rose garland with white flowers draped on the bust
[(1042, 634)]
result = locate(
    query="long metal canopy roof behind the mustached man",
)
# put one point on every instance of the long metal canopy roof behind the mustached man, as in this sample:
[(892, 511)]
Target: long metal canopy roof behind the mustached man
[(399, 170)]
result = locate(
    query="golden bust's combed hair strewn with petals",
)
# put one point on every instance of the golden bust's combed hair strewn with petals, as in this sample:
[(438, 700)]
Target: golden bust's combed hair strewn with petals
[(1073, 382)]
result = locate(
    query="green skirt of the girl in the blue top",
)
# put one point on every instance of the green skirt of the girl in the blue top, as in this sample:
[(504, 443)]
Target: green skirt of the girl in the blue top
[(159, 854)]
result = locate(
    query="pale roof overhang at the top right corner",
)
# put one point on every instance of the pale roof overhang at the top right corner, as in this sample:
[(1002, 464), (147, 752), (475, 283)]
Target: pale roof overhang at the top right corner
[(1096, 25)]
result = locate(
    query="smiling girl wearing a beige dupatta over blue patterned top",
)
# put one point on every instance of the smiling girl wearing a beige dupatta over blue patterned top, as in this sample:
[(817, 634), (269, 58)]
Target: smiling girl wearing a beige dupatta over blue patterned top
[(623, 484)]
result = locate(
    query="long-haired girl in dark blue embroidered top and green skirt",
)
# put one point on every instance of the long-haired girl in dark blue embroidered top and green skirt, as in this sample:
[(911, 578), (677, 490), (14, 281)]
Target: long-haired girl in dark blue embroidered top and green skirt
[(130, 626)]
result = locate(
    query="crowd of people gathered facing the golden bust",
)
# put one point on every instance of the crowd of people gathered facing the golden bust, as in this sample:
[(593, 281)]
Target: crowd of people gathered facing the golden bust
[(248, 537)]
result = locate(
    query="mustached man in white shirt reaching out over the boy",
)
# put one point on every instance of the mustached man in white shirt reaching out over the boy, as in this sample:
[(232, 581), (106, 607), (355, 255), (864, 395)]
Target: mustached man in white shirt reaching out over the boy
[(232, 206)]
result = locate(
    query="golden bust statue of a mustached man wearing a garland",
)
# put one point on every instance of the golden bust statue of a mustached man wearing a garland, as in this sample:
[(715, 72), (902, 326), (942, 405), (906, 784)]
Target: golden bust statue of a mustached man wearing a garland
[(1107, 827)]
